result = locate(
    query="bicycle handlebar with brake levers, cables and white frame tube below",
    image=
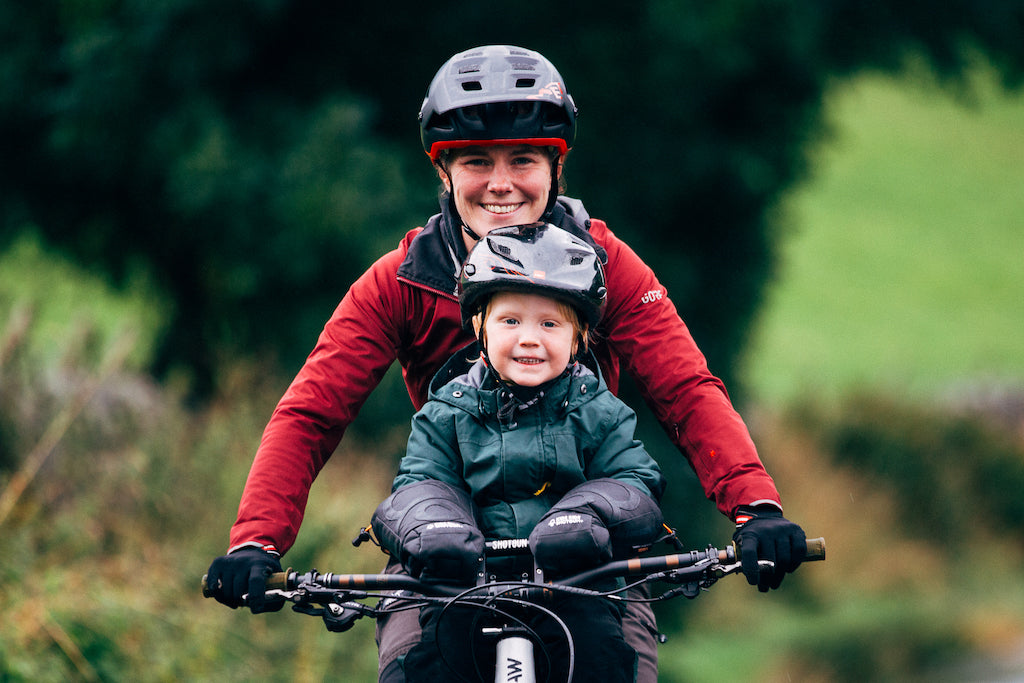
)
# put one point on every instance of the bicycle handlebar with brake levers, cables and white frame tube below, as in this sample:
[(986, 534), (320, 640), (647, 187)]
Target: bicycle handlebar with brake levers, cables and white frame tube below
[(342, 600)]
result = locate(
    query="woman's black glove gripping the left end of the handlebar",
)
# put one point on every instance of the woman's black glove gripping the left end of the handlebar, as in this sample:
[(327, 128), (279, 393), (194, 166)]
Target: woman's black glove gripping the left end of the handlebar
[(244, 572)]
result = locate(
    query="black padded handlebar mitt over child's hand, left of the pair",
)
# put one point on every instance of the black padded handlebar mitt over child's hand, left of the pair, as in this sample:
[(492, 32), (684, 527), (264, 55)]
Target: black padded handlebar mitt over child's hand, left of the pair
[(431, 529)]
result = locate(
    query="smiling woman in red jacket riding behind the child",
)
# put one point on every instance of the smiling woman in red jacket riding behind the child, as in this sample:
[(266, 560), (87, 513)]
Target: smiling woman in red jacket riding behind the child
[(498, 123)]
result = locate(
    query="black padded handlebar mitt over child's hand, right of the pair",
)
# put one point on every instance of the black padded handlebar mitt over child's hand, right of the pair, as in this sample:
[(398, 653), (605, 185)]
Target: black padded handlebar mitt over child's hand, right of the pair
[(595, 523)]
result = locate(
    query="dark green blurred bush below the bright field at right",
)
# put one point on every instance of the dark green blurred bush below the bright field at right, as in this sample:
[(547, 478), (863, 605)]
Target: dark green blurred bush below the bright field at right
[(963, 473)]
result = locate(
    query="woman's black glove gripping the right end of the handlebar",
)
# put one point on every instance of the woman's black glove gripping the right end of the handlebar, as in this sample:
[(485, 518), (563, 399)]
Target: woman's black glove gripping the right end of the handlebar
[(762, 533)]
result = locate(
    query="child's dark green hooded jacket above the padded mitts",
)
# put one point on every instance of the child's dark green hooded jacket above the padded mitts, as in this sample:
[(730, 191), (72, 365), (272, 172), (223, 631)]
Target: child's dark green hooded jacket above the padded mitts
[(518, 467)]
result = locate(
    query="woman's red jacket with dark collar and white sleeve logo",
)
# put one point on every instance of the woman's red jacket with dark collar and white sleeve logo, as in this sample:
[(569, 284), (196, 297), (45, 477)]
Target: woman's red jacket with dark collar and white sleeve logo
[(405, 309)]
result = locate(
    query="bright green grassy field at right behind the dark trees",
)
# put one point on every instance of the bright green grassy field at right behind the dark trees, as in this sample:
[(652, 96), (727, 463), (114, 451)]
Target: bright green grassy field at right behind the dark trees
[(902, 267)]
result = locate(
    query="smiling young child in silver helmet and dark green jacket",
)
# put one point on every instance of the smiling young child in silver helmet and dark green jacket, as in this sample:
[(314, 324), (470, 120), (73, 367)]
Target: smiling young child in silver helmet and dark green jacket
[(527, 436)]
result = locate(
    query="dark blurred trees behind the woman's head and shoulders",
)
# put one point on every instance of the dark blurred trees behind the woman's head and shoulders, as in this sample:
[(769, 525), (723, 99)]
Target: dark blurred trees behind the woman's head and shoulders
[(257, 156)]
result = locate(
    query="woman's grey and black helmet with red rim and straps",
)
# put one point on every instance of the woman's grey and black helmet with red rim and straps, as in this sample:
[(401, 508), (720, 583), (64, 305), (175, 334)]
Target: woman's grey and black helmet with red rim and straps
[(498, 96)]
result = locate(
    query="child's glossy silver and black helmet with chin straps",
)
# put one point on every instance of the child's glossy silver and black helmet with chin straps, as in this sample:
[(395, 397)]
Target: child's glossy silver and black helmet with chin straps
[(537, 259)]
